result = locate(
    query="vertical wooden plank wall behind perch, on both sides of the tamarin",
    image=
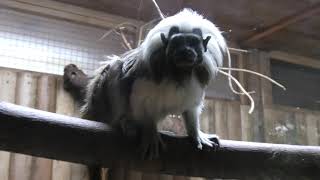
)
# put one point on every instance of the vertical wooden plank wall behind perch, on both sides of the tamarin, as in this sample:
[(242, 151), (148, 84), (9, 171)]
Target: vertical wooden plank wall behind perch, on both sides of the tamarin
[(228, 119)]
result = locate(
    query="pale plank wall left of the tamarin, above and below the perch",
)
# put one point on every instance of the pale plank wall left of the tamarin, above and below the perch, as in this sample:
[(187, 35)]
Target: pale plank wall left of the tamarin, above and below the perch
[(43, 92)]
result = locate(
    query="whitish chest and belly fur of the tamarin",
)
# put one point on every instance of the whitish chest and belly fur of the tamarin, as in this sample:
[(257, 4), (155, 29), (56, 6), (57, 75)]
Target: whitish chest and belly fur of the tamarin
[(156, 100)]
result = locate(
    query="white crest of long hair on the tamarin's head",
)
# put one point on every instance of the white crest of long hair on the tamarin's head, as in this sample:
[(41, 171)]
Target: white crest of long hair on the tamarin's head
[(187, 20)]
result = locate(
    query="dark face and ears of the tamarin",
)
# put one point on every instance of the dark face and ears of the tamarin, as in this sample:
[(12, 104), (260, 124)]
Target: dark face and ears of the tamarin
[(184, 50)]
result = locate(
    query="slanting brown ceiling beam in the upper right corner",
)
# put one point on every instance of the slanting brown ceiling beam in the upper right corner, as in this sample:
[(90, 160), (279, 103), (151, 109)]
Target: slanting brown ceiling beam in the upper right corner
[(283, 23)]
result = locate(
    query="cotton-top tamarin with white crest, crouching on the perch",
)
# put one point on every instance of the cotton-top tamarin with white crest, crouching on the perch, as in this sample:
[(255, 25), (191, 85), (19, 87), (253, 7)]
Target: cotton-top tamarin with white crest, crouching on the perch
[(167, 74)]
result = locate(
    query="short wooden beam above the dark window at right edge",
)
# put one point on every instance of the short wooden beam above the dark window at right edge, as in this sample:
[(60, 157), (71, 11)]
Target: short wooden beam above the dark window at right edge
[(295, 59)]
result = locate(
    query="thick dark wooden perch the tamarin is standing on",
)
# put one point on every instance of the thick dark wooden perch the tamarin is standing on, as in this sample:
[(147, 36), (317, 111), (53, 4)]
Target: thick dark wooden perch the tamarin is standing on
[(38, 133)]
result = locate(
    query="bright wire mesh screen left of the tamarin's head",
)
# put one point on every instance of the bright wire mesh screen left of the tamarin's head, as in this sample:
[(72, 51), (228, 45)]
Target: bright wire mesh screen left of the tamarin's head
[(42, 44)]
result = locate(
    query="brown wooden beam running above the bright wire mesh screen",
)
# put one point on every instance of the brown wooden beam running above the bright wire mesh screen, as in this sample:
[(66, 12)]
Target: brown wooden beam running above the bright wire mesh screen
[(68, 12)]
